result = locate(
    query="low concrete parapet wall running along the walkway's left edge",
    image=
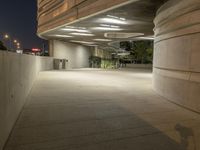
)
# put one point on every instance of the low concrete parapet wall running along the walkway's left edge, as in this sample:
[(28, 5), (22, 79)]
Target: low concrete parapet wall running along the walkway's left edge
[(17, 75)]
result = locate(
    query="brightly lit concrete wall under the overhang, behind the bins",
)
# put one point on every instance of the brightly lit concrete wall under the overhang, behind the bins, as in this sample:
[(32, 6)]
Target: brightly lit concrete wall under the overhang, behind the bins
[(77, 55)]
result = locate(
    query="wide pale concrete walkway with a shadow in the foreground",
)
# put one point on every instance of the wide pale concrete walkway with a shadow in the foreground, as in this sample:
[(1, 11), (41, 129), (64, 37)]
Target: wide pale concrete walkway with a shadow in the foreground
[(102, 110)]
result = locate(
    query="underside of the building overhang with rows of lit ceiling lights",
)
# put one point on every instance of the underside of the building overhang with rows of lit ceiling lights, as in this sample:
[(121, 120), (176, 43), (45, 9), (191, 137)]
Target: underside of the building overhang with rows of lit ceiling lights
[(124, 23)]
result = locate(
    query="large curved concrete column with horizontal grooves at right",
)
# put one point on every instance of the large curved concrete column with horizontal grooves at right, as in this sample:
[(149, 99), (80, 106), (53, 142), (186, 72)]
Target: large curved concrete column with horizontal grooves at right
[(177, 52)]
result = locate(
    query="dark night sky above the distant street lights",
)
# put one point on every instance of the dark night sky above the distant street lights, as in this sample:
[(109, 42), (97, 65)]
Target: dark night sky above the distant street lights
[(18, 18)]
